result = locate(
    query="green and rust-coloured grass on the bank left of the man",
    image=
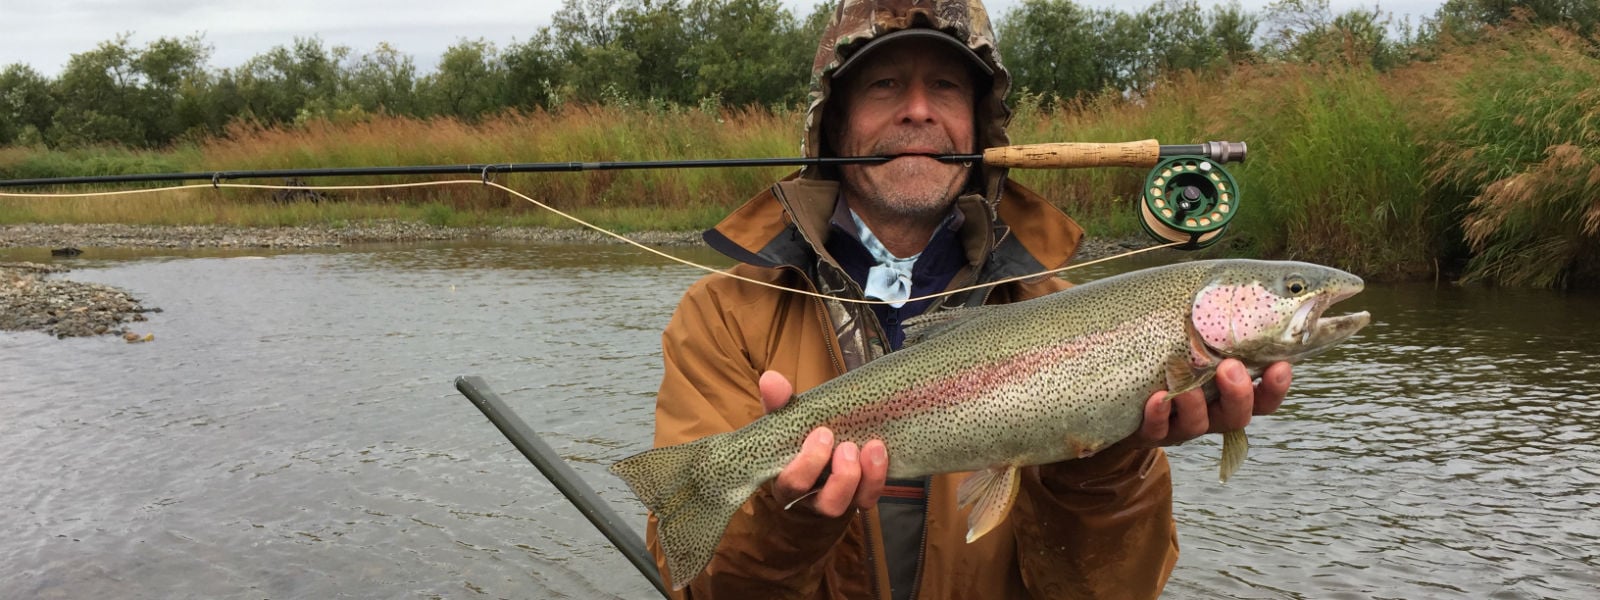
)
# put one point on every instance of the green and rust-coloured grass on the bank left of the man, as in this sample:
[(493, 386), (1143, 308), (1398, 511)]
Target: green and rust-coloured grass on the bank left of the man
[(631, 201)]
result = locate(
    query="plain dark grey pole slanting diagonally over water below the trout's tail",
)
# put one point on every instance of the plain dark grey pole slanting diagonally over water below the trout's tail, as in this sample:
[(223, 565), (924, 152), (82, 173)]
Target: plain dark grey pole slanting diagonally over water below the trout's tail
[(564, 478)]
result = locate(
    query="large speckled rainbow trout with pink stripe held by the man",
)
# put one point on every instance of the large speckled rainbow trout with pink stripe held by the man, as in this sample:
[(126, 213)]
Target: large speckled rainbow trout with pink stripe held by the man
[(994, 390)]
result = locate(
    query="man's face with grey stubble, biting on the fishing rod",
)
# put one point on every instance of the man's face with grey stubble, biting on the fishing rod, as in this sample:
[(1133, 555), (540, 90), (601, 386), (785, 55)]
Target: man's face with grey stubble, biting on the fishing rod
[(914, 97)]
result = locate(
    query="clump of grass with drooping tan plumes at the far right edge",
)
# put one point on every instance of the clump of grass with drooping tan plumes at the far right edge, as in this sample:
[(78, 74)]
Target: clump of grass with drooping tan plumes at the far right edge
[(1518, 150)]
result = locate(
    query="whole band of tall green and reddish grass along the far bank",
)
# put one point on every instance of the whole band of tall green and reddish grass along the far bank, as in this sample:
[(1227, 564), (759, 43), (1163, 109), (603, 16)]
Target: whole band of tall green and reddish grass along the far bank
[(1484, 159)]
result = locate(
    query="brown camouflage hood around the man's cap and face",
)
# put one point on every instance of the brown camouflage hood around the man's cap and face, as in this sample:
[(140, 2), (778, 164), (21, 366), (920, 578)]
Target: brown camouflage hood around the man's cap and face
[(860, 22)]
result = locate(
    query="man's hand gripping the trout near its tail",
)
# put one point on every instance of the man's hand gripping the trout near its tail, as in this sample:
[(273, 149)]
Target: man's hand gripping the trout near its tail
[(857, 476)]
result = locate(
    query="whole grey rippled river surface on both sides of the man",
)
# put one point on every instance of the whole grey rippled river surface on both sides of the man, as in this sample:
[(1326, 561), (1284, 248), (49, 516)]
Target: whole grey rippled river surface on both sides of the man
[(294, 433)]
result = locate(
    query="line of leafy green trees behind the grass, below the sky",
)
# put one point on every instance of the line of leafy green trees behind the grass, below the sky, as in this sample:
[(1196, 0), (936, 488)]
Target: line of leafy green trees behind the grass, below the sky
[(684, 54)]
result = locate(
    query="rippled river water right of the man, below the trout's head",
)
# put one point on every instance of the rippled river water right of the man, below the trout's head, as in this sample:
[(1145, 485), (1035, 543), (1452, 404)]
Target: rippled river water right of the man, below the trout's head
[(1438, 455)]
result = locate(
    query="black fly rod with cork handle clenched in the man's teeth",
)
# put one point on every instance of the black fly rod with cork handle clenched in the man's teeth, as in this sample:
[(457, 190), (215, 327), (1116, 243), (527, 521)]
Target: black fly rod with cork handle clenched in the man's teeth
[(1031, 156)]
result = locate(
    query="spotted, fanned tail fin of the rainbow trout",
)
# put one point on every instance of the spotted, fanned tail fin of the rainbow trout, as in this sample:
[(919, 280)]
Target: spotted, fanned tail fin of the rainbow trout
[(692, 500)]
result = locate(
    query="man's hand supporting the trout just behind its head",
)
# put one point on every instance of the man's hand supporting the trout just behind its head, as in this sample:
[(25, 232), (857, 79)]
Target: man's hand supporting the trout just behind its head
[(1190, 417)]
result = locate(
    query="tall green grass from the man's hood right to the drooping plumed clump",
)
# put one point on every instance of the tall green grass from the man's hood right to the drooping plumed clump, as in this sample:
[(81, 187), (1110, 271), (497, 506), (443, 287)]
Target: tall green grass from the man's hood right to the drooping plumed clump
[(1332, 175)]
